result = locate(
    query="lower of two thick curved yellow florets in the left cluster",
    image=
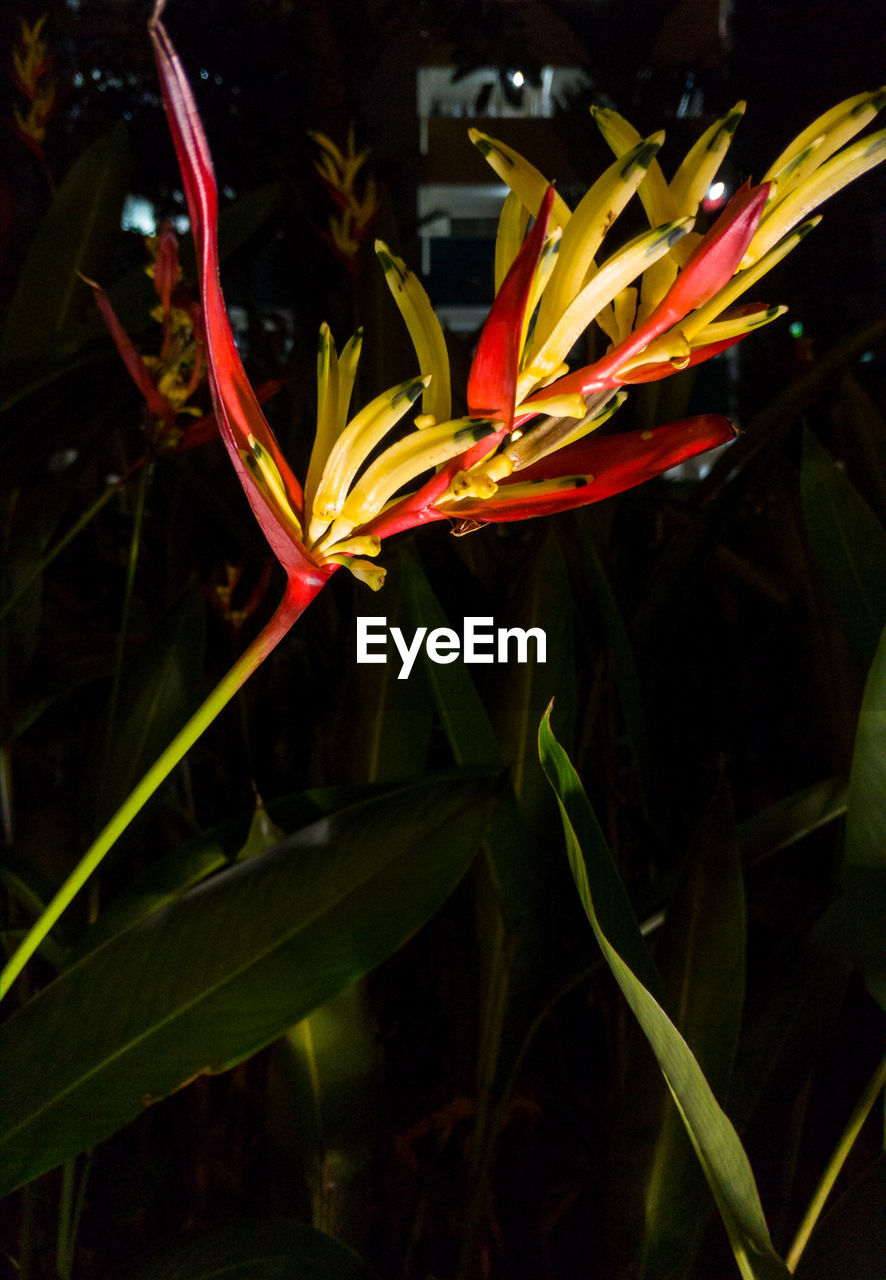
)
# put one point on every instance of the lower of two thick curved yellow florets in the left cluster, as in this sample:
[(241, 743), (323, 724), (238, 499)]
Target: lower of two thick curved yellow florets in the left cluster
[(403, 463)]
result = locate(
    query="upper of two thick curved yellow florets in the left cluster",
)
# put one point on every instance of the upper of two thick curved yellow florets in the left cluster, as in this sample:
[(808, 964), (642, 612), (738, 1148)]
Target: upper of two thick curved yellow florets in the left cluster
[(354, 447)]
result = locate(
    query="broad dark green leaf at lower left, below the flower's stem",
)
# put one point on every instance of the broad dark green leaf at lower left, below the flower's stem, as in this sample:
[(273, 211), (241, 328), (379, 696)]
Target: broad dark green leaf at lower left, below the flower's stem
[(221, 972)]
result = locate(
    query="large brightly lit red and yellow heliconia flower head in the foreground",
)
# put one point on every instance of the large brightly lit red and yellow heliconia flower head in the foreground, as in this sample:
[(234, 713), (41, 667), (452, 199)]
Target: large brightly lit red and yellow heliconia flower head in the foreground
[(526, 447)]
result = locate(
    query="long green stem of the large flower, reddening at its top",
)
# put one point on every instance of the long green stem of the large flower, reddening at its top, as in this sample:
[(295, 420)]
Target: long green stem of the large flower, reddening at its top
[(299, 596)]
